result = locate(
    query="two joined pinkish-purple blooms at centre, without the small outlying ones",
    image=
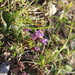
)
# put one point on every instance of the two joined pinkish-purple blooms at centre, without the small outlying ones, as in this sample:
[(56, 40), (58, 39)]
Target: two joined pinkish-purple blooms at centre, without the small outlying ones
[(38, 35)]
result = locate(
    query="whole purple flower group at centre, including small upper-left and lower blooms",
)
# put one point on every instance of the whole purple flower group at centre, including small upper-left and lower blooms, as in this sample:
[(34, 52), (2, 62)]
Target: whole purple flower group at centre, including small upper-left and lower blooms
[(38, 35)]
